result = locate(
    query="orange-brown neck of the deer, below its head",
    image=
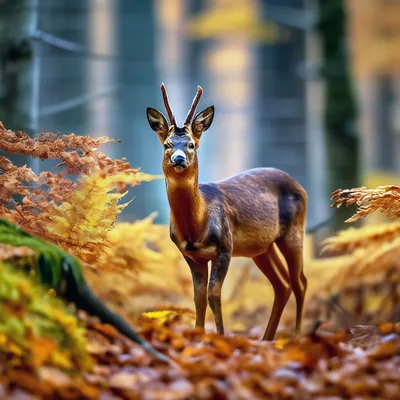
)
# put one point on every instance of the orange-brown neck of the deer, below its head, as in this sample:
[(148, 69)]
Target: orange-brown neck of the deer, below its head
[(187, 207)]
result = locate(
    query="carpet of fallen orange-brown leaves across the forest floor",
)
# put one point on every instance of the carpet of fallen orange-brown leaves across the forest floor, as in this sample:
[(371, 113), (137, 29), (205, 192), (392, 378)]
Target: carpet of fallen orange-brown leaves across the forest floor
[(360, 363)]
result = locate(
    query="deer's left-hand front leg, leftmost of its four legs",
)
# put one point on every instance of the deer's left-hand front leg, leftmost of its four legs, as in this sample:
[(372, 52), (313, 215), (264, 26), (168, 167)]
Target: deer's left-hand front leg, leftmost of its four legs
[(200, 278)]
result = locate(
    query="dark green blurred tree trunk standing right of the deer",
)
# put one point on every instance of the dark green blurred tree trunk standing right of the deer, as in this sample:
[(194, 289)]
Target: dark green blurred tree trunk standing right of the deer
[(340, 105)]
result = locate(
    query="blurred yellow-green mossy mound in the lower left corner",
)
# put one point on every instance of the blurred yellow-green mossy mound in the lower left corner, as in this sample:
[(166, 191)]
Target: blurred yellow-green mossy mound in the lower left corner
[(36, 328)]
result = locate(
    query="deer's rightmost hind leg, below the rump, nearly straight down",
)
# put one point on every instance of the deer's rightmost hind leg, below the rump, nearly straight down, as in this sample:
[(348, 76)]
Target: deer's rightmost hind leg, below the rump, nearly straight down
[(291, 246)]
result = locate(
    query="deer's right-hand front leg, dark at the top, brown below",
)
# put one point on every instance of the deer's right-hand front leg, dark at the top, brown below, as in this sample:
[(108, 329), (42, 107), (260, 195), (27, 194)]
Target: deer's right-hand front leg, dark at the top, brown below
[(219, 269)]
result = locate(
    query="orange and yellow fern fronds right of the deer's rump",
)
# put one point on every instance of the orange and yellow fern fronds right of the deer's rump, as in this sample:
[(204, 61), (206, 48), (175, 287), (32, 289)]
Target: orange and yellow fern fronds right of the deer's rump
[(360, 271)]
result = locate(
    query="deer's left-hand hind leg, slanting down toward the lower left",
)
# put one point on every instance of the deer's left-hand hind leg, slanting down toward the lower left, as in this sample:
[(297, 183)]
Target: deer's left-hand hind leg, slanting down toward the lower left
[(274, 269)]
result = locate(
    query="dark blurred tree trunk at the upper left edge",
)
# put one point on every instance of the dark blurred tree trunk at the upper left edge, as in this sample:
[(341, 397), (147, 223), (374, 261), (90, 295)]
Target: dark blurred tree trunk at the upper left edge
[(15, 66)]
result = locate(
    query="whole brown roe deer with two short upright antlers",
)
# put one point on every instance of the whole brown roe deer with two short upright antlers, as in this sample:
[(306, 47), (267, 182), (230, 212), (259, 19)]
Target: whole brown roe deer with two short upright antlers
[(251, 214)]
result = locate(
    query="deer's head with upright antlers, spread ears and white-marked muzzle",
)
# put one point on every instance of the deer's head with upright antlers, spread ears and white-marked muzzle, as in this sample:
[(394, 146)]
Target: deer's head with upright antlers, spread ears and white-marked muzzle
[(180, 144)]
